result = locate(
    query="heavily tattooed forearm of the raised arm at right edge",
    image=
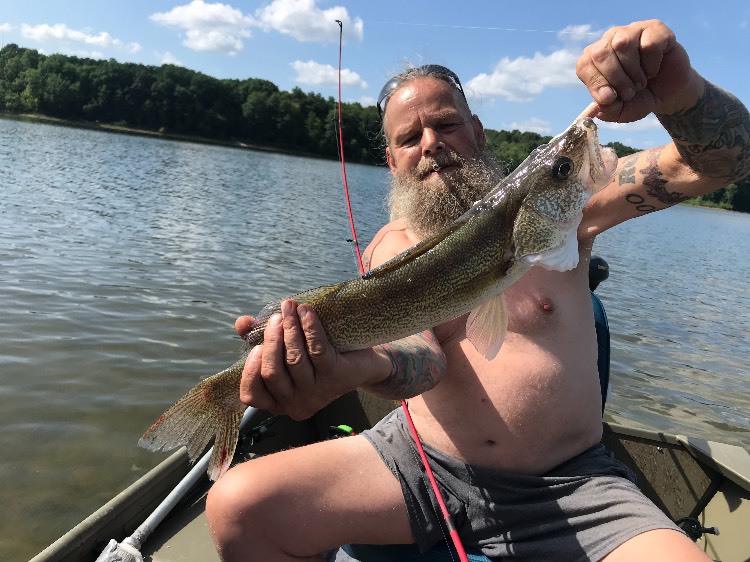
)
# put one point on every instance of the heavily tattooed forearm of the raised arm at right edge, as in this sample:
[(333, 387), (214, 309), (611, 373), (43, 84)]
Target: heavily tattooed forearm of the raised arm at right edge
[(713, 137)]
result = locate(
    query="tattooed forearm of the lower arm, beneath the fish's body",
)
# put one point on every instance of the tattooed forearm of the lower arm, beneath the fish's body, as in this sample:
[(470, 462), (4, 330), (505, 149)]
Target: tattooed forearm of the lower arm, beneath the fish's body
[(418, 364)]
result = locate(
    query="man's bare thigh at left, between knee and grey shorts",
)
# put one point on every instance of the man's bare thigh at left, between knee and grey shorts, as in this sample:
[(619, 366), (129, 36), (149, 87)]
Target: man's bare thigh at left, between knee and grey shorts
[(320, 496)]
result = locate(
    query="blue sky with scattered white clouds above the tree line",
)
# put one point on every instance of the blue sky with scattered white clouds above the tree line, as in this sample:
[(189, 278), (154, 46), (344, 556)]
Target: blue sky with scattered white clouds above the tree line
[(516, 59)]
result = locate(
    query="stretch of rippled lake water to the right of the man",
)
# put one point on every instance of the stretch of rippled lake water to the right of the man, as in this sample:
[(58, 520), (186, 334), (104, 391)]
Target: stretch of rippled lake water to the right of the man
[(678, 299)]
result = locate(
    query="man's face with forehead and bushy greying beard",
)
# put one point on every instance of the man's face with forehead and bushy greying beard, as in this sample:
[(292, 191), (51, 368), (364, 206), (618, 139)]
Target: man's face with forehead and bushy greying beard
[(436, 154)]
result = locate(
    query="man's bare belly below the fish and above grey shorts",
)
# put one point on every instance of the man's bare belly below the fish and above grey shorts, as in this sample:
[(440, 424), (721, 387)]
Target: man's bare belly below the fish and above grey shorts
[(527, 411)]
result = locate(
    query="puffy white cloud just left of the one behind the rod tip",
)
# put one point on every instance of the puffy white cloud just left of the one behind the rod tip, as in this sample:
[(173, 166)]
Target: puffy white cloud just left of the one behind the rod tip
[(210, 27)]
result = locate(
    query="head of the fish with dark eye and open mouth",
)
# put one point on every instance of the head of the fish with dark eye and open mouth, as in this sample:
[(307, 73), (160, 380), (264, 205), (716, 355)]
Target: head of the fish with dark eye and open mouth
[(553, 185)]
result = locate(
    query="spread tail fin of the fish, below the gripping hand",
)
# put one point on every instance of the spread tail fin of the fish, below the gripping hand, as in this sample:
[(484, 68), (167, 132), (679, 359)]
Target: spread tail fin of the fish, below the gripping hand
[(212, 409)]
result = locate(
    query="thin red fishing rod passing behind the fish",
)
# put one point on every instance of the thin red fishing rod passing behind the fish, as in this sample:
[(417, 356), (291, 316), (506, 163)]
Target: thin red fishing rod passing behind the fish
[(449, 523)]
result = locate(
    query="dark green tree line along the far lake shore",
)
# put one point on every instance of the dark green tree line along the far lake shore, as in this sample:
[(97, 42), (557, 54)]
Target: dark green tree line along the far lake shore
[(175, 100)]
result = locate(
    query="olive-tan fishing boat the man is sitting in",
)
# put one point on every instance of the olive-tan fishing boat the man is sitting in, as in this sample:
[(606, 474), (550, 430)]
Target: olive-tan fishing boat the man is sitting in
[(702, 485)]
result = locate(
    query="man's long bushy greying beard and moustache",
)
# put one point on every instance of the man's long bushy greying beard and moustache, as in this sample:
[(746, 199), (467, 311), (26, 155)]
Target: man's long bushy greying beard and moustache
[(429, 202)]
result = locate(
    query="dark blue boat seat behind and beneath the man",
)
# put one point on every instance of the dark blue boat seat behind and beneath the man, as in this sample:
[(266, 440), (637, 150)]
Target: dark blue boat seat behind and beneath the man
[(442, 551)]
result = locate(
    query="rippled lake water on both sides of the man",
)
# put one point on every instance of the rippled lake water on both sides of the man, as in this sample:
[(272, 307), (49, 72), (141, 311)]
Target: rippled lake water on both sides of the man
[(125, 260)]
